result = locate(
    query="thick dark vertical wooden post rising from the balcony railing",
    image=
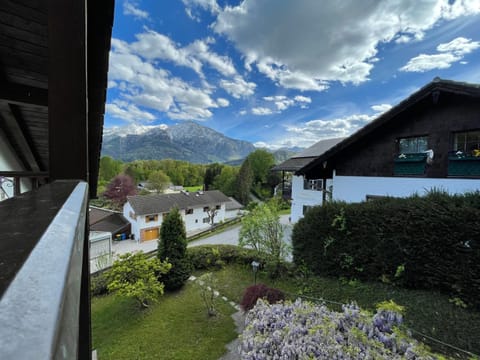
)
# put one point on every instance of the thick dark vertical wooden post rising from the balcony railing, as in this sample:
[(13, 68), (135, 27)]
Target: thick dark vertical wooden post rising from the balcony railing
[(67, 90)]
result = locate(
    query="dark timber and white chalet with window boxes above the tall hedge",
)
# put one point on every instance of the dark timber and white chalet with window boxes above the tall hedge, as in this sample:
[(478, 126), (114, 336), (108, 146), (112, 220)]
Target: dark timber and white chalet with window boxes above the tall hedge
[(431, 140)]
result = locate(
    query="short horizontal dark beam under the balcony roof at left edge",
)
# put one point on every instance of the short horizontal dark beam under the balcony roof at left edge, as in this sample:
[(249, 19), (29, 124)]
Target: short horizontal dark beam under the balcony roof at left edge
[(20, 95)]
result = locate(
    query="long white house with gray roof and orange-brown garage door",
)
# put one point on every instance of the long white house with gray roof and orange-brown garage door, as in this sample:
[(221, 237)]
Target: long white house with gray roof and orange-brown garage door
[(146, 212)]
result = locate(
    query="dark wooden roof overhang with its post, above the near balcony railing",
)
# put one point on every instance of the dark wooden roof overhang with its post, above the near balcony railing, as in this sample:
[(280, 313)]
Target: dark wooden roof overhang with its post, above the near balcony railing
[(53, 76)]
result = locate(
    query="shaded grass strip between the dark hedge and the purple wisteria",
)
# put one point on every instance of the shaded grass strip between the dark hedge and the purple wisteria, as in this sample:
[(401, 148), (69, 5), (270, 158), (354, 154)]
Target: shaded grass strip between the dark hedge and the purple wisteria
[(429, 313)]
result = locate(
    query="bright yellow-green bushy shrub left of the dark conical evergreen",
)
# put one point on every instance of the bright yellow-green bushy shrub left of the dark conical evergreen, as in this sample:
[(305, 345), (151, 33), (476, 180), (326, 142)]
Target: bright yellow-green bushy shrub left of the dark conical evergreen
[(135, 276)]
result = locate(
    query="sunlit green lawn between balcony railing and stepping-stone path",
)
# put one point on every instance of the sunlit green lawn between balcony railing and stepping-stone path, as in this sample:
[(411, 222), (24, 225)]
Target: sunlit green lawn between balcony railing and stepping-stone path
[(176, 328)]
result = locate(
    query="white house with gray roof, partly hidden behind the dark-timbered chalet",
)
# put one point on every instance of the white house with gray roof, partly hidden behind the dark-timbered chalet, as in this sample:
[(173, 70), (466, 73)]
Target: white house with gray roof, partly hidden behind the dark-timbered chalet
[(305, 193)]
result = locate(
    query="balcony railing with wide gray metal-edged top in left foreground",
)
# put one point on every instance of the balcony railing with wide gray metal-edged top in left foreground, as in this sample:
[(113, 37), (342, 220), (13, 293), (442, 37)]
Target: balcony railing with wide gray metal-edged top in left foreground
[(44, 275)]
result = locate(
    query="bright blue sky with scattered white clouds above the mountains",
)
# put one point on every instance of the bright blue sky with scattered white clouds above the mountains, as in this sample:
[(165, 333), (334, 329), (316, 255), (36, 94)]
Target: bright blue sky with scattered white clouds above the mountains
[(282, 73)]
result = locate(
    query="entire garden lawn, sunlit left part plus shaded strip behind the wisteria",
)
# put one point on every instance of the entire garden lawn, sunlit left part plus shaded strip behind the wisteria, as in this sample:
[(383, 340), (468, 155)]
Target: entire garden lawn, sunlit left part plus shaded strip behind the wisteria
[(178, 327)]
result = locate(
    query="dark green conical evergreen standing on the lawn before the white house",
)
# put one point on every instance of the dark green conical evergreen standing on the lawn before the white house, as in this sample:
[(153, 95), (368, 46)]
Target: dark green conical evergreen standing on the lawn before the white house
[(172, 247)]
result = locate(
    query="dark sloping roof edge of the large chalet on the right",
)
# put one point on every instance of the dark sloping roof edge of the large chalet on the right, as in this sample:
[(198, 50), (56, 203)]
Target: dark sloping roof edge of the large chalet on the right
[(323, 165)]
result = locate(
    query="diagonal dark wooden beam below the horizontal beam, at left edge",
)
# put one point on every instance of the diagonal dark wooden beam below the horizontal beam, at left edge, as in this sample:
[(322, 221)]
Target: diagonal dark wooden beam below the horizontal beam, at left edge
[(15, 129)]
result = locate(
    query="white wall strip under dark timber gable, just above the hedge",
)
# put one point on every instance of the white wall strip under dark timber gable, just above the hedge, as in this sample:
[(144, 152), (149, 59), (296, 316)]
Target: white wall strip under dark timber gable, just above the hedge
[(356, 188)]
